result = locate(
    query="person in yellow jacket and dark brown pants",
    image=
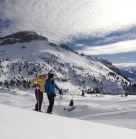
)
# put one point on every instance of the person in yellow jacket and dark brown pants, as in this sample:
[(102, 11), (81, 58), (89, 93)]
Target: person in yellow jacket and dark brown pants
[(39, 82)]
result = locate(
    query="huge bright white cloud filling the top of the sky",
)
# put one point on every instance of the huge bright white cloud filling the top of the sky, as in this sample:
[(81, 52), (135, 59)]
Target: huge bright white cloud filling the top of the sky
[(61, 20)]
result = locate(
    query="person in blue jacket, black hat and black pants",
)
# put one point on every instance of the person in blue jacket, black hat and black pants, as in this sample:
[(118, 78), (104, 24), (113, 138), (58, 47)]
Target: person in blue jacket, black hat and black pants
[(50, 90)]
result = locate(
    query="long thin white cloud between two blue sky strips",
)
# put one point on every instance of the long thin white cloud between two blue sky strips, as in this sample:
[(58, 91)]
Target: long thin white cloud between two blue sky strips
[(115, 48)]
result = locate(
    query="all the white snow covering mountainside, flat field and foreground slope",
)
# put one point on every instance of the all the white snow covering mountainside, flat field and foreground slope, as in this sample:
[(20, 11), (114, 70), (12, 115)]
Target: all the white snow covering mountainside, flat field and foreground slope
[(24, 123)]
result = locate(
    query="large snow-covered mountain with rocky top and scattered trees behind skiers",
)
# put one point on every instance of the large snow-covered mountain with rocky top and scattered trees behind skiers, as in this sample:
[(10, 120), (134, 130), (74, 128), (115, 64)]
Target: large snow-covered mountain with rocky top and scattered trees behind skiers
[(24, 55)]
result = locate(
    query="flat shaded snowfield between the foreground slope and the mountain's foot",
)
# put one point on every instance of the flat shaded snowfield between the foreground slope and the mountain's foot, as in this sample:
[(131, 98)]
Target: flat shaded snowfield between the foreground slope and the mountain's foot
[(107, 109)]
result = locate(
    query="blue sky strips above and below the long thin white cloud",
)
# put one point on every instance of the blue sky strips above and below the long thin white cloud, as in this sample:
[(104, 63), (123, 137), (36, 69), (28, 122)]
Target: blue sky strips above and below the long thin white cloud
[(114, 37)]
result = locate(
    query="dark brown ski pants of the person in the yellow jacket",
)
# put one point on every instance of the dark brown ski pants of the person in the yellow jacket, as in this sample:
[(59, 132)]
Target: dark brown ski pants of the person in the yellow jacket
[(39, 98)]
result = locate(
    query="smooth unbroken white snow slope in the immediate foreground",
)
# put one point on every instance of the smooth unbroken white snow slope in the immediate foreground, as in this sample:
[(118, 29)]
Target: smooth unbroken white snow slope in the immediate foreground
[(22, 124)]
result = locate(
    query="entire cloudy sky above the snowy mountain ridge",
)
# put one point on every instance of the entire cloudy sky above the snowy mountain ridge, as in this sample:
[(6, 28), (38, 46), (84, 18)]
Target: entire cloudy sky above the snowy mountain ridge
[(105, 28)]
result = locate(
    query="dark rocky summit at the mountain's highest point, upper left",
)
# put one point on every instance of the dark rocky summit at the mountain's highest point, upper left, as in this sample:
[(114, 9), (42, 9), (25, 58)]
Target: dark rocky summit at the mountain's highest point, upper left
[(23, 36)]
